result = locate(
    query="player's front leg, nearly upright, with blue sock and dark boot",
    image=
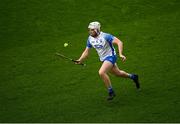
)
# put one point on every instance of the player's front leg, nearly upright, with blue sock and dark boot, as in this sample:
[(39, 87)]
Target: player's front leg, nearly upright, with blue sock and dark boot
[(105, 68)]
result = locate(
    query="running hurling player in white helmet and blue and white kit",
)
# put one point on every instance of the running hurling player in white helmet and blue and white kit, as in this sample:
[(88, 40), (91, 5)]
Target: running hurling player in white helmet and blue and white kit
[(103, 43)]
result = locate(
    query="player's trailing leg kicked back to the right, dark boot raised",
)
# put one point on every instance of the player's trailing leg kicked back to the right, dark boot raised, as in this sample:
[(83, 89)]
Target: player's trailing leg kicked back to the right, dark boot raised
[(120, 73)]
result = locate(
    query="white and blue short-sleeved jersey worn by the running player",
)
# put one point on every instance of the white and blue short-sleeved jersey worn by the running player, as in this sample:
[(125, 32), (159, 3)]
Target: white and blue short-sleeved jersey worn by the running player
[(103, 45)]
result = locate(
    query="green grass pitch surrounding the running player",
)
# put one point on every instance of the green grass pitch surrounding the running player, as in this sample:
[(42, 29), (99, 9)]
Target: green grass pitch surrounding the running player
[(36, 86)]
